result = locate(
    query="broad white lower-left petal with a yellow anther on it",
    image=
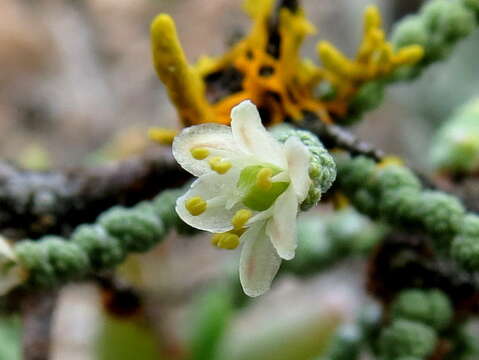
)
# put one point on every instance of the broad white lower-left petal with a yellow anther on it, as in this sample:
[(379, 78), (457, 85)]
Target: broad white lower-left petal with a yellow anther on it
[(217, 190)]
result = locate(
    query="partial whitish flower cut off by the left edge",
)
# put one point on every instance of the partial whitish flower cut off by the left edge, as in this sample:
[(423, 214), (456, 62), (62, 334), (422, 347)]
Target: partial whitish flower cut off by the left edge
[(11, 273)]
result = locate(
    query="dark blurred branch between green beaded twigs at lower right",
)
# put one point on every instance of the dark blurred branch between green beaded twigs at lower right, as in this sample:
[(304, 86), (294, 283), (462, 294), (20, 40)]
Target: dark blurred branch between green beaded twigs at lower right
[(407, 260)]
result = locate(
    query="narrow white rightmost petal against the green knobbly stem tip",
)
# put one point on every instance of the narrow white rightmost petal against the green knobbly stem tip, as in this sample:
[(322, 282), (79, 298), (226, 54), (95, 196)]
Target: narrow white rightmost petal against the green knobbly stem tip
[(298, 157)]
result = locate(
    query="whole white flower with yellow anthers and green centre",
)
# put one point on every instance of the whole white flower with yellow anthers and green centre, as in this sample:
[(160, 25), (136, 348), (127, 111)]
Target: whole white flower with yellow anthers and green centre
[(248, 191)]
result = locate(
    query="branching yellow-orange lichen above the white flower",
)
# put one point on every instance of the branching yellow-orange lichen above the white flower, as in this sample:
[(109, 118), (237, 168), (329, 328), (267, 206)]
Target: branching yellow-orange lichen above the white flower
[(267, 68)]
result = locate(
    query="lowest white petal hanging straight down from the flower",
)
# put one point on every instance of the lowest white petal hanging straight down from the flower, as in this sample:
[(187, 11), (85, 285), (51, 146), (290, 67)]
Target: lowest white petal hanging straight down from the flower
[(259, 261)]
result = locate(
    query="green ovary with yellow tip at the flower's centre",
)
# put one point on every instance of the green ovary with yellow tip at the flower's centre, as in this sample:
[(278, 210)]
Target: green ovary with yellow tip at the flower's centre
[(257, 187)]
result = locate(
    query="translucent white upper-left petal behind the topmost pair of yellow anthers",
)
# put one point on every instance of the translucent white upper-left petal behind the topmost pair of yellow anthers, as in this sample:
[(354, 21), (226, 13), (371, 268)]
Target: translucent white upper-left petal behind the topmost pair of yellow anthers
[(218, 139)]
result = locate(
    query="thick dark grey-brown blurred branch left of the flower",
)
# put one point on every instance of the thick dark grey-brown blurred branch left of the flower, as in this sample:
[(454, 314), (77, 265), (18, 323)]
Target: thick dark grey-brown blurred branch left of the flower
[(35, 203)]
